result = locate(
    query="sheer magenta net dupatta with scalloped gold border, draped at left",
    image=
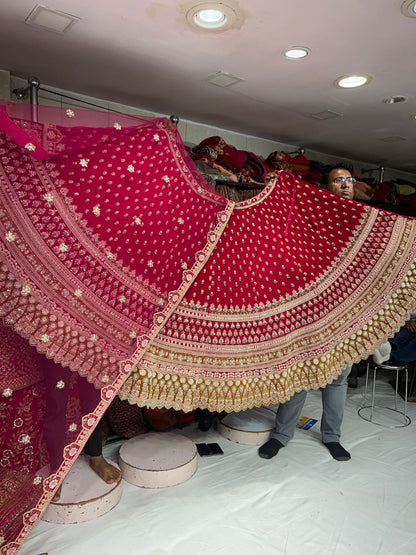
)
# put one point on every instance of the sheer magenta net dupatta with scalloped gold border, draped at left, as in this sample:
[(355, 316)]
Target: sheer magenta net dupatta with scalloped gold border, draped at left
[(104, 224)]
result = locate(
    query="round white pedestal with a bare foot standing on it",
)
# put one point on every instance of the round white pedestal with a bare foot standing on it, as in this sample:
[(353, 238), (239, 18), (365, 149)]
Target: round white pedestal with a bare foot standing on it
[(84, 496)]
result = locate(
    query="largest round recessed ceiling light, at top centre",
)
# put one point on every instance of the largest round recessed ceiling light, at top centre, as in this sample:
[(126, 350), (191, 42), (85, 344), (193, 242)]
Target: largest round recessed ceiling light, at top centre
[(214, 16)]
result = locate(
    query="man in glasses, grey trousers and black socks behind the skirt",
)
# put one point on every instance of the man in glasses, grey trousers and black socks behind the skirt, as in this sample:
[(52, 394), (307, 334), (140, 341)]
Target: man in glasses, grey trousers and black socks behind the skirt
[(338, 180)]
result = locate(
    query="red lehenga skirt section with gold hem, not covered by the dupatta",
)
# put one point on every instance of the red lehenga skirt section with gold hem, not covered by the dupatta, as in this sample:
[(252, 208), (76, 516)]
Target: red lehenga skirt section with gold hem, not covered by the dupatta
[(301, 284)]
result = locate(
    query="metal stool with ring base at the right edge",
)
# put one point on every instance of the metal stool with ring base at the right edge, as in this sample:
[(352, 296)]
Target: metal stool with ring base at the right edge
[(374, 412)]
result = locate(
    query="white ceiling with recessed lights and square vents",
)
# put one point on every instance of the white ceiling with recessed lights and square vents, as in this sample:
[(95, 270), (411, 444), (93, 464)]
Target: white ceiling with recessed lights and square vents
[(143, 53)]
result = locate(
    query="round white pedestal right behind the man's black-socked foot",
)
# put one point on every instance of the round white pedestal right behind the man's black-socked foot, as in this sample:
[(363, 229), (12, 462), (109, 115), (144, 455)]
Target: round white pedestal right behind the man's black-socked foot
[(249, 427)]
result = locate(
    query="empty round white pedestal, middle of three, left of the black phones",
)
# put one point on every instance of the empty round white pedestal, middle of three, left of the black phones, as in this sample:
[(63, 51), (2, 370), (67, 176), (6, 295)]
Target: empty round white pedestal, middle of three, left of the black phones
[(158, 460)]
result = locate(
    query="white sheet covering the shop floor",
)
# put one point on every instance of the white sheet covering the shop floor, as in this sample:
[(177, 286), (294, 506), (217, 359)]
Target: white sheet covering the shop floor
[(302, 502)]
